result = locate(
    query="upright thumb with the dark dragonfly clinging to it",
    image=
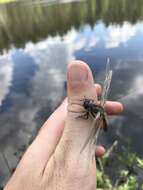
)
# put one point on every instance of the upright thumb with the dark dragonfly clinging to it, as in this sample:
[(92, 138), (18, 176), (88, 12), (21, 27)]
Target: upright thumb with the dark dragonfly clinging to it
[(77, 129)]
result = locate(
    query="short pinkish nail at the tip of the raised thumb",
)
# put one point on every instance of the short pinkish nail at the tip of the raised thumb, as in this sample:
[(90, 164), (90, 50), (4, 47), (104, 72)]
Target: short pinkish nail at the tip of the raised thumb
[(77, 74)]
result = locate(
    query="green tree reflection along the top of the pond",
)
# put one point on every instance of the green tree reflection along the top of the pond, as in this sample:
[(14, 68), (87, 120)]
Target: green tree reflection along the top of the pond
[(22, 22)]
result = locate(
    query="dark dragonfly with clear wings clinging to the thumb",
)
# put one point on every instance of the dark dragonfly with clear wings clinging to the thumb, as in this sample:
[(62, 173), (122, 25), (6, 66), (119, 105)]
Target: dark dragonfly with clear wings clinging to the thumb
[(97, 110)]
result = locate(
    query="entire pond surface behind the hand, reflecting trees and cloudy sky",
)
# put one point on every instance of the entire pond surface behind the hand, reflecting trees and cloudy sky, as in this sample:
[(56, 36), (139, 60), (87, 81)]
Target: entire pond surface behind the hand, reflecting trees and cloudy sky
[(38, 40)]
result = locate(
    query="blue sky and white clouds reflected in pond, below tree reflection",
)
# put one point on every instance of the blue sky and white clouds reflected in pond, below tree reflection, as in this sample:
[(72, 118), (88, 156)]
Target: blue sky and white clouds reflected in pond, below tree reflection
[(33, 81)]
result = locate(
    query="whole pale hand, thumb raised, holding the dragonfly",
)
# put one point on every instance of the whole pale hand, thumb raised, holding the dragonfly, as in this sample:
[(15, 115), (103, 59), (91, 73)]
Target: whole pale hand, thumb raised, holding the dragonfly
[(54, 160)]
